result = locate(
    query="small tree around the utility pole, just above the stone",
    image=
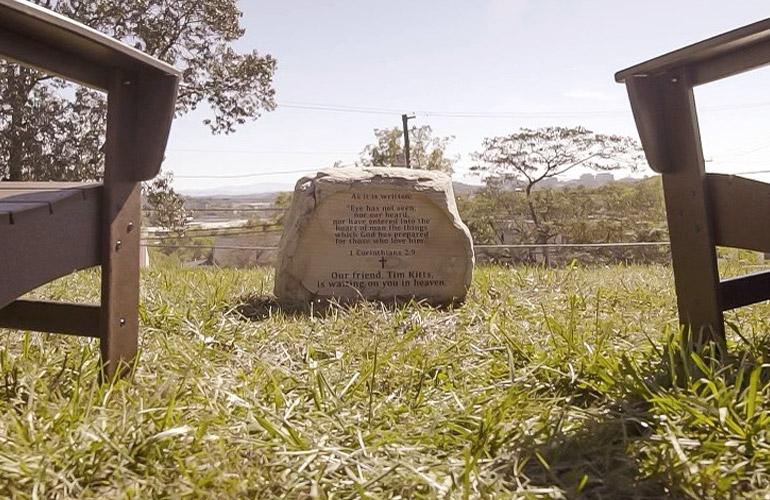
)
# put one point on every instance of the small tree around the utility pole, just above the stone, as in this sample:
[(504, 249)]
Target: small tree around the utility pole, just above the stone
[(426, 152)]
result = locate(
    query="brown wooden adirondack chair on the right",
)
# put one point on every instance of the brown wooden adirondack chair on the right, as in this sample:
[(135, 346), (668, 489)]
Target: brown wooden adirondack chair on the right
[(703, 210)]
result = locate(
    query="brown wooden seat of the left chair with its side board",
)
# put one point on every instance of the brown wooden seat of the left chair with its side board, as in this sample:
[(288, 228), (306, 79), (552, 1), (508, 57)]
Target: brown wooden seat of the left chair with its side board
[(49, 230)]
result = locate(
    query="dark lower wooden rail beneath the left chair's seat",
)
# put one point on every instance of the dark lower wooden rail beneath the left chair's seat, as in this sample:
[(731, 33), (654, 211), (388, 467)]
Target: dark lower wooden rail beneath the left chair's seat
[(54, 317)]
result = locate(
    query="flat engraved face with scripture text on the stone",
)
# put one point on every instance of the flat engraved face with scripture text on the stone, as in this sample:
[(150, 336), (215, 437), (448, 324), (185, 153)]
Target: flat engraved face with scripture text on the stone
[(381, 244)]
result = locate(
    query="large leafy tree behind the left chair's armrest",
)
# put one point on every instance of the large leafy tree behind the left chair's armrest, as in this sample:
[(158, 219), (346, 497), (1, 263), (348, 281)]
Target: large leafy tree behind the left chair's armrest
[(48, 131)]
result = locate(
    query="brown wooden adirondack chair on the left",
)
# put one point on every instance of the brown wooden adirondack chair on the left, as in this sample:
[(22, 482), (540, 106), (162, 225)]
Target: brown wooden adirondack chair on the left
[(48, 230)]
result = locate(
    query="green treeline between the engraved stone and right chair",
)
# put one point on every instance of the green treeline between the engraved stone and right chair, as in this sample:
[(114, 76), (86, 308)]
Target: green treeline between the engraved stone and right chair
[(617, 212)]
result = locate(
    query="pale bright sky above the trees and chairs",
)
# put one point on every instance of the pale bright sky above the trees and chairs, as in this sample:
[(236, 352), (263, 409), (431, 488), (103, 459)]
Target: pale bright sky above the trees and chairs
[(468, 68)]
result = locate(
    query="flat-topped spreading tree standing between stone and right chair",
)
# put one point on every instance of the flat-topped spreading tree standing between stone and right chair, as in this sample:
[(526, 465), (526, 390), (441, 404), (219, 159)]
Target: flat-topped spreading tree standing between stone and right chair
[(528, 157)]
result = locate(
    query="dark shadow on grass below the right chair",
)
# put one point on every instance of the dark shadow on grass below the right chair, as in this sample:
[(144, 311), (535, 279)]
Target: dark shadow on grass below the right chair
[(622, 453)]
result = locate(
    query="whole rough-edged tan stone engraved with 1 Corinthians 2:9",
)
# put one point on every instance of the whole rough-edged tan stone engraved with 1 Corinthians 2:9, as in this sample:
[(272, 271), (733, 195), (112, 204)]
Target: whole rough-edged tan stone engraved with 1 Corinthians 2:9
[(374, 234)]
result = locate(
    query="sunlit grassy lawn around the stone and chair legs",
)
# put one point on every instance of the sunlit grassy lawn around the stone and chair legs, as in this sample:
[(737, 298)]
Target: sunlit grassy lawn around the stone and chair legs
[(564, 383)]
